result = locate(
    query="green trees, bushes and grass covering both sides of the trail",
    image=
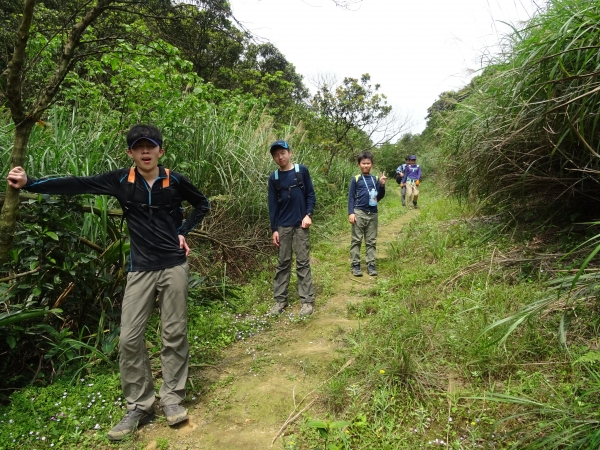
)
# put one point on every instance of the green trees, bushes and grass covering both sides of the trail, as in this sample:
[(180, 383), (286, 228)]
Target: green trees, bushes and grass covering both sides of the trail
[(482, 328)]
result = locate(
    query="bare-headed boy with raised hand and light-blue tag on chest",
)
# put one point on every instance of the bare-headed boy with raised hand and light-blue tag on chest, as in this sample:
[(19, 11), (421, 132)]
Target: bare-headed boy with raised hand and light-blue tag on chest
[(363, 195)]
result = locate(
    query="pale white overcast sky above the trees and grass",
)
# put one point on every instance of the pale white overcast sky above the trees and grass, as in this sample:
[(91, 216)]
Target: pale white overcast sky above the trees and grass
[(415, 49)]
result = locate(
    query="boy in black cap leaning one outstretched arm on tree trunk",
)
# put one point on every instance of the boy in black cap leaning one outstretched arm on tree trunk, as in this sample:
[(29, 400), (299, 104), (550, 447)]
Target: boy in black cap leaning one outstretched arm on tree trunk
[(150, 197)]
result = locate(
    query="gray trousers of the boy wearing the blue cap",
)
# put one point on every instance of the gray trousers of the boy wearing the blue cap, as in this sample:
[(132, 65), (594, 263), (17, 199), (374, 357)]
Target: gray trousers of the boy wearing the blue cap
[(296, 238)]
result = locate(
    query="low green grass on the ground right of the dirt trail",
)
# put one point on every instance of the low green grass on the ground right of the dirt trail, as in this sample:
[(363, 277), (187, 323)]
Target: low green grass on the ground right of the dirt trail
[(433, 379)]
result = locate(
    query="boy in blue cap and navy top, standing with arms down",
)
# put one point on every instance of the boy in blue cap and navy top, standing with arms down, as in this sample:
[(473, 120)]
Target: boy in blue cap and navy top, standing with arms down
[(291, 203)]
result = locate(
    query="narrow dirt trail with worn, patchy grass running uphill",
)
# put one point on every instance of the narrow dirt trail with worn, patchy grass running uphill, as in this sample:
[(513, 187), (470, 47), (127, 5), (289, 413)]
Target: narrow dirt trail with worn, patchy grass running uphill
[(262, 381)]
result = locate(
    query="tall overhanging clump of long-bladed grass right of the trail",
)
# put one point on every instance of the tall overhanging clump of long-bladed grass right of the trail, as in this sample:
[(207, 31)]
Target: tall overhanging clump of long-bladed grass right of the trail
[(527, 138)]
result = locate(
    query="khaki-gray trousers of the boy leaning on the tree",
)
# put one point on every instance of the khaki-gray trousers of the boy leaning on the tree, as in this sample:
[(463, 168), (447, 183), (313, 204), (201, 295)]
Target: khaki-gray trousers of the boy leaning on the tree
[(169, 286)]
